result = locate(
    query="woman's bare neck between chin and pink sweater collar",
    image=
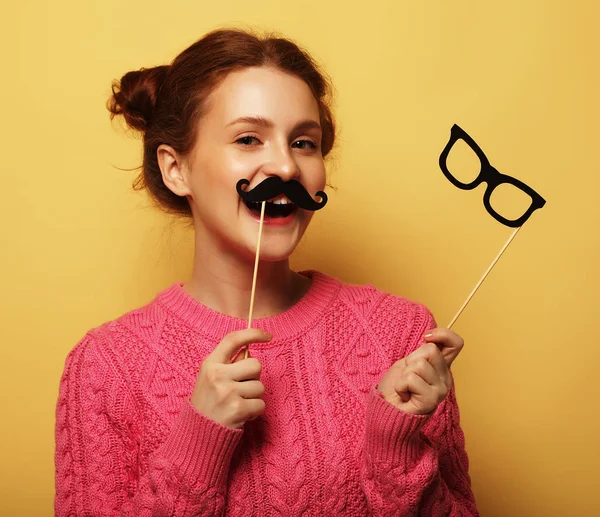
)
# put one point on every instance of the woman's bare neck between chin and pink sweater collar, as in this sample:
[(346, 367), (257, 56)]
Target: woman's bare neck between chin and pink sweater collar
[(222, 280)]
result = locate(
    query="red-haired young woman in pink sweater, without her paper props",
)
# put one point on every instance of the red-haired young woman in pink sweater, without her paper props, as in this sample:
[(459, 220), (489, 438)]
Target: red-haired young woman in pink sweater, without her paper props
[(345, 405)]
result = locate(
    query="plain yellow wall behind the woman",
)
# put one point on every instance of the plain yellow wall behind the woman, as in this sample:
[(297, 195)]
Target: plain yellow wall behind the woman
[(79, 247)]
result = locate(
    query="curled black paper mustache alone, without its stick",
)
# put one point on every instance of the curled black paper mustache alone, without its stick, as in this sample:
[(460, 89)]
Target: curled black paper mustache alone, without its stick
[(274, 186)]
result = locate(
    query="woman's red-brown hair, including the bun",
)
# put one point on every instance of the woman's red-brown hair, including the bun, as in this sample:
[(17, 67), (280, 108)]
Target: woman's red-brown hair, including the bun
[(165, 103)]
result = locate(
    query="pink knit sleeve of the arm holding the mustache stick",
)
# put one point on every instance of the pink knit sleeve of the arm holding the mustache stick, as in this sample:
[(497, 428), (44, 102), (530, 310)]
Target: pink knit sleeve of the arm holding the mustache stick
[(97, 457)]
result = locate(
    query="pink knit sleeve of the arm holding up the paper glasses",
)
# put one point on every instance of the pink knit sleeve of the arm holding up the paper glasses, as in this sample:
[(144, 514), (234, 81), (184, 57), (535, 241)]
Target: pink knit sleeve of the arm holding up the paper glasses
[(415, 464)]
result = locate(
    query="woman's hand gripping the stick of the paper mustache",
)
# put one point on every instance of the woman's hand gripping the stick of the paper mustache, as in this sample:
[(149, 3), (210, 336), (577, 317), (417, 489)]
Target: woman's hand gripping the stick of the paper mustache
[(230, 392)]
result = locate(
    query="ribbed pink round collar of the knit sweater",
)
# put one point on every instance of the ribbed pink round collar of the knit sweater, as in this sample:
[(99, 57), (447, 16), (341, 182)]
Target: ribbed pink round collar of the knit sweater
[(295, 320)]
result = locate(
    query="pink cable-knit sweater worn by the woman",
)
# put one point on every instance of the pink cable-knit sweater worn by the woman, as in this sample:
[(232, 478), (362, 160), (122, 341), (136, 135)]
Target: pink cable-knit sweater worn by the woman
[(129, 442)]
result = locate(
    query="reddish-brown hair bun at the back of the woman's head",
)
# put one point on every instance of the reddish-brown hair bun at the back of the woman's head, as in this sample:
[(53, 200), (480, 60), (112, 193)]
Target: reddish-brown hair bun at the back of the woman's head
[(134, 96)]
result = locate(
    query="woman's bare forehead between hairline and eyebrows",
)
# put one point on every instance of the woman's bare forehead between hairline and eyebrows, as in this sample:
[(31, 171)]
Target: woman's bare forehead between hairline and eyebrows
[(263, 91)]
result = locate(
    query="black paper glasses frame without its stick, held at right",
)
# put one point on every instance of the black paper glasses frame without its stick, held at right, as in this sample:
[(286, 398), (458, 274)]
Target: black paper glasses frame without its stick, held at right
[(490, 175)]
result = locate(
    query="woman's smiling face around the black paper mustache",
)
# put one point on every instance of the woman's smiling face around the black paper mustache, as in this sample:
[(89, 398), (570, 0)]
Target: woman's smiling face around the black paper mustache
[(259, 122)]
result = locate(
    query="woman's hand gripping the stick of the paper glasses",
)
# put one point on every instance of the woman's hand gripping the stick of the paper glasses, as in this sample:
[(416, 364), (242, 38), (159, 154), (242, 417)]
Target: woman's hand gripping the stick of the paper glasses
[(419, 382)]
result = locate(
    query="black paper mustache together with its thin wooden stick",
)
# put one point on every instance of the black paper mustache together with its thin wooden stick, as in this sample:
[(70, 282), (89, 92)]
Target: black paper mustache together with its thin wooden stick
[(270, 188)]
